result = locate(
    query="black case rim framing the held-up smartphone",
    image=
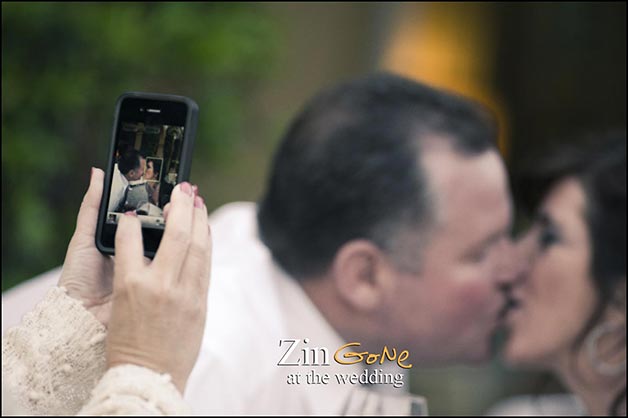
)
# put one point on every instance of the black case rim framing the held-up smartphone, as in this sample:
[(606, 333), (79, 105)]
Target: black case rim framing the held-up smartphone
[(184, 167)]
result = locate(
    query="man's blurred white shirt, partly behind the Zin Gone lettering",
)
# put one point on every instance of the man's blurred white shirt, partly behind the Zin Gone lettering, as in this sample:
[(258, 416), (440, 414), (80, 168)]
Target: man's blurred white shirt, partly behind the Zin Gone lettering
[(253, 305)]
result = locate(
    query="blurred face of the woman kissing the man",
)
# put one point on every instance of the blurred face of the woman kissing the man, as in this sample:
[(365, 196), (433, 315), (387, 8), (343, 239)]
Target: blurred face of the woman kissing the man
[(556, 294)]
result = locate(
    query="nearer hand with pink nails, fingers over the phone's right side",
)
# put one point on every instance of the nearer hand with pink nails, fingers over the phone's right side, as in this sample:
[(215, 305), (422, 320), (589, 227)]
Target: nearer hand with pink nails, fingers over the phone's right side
[(158, 323)]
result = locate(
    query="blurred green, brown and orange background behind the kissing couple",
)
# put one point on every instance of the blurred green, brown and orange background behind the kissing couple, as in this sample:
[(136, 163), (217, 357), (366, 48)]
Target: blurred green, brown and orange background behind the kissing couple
[(550, 71)]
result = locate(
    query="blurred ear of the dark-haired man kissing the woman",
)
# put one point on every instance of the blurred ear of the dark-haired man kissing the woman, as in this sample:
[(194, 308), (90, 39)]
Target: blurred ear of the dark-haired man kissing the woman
[(362, 275)]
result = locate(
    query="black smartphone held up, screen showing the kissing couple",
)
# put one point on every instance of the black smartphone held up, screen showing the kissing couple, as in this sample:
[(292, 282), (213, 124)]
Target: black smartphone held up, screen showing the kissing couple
[(151, 151)]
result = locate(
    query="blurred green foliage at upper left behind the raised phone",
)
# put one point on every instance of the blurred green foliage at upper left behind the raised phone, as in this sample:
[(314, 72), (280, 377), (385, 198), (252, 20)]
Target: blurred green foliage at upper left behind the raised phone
[(64, 64)]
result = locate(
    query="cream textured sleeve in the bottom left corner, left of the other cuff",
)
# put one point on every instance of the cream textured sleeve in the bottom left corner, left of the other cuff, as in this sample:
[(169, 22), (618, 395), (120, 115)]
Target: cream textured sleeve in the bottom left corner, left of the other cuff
[(54, 358)]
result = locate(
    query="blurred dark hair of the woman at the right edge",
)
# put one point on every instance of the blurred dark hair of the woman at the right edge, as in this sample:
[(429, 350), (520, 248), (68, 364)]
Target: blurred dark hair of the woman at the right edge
[(599, 164)]
